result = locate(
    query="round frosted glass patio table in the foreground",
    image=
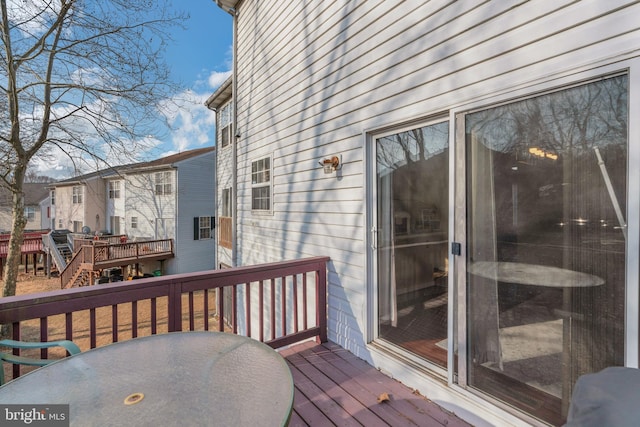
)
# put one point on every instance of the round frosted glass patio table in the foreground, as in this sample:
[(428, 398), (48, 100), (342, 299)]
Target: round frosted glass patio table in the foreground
[(173, 379)]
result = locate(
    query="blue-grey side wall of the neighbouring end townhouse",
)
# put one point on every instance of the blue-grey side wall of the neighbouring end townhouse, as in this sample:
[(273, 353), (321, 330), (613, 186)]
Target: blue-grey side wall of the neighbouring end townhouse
[(196, 191)]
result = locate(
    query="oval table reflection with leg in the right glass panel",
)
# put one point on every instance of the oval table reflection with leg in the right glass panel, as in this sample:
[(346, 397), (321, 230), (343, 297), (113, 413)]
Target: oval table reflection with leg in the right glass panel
[(547, 276)]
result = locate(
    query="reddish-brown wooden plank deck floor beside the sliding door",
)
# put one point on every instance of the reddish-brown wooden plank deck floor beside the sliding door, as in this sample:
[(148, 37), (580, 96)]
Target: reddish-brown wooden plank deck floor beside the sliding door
[(334, 387)]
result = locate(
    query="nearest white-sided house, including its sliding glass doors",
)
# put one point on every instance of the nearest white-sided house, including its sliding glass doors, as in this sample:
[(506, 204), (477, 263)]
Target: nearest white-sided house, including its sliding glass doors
[(468, 167)]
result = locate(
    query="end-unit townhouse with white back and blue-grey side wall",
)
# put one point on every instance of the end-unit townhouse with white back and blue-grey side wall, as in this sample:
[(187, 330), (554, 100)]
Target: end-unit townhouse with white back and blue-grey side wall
[(169, 198)]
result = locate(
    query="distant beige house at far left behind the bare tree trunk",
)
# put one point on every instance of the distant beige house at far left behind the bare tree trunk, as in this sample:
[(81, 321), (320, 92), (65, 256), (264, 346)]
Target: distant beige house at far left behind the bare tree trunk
[(35, 197)]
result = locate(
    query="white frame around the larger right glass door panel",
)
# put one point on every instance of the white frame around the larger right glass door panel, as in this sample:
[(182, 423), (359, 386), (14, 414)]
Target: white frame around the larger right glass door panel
[(458, 264)]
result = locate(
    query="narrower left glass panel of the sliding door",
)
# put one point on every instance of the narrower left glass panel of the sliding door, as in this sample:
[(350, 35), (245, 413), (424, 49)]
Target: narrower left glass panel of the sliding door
[(410, 250)]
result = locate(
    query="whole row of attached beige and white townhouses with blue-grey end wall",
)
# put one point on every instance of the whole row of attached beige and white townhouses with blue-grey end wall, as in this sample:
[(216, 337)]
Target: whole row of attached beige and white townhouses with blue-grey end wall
[(168, 198)]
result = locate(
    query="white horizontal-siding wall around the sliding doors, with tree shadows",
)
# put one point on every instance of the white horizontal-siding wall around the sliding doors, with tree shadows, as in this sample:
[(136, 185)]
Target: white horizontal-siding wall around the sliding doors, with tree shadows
[(313, 77)]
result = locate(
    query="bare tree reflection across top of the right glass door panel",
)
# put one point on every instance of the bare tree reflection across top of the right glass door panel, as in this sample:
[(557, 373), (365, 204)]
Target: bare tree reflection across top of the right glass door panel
[(583, 117)]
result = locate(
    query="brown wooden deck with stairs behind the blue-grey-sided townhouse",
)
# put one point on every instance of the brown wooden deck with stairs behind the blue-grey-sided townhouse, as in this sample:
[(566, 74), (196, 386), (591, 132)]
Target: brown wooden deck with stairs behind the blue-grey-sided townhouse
[(91, 257)]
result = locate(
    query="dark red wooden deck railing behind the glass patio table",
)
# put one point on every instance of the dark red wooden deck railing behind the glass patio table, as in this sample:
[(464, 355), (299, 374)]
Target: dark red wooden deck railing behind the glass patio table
[(277, 303)]
